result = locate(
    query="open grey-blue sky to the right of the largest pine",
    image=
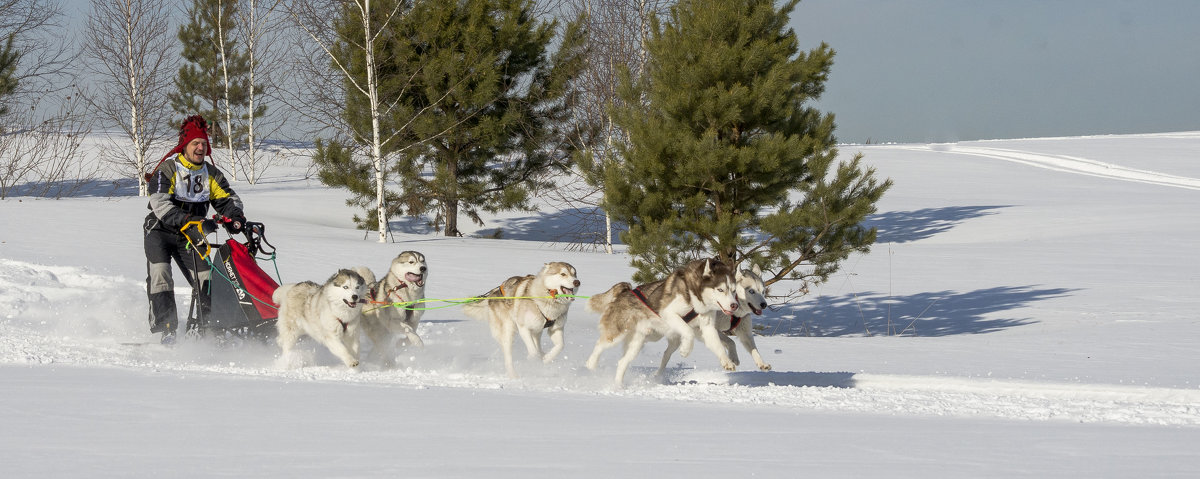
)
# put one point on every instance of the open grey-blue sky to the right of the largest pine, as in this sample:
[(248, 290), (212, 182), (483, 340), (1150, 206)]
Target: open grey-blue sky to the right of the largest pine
[(958, 70)]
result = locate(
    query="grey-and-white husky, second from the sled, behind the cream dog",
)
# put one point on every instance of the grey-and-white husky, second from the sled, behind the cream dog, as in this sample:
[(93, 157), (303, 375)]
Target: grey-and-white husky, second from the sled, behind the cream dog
[(397, 306)]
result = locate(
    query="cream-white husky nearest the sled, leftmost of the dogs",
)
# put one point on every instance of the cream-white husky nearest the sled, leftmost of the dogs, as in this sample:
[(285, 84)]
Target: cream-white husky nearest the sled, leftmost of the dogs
[(329, 314)]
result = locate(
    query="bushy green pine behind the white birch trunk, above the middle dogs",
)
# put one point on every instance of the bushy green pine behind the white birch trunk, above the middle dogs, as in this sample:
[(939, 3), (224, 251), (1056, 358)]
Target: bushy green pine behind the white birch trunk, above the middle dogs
[(476, 98)]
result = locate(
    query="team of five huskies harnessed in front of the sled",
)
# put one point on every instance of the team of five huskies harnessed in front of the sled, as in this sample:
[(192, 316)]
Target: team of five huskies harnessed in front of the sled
[(704, 298)]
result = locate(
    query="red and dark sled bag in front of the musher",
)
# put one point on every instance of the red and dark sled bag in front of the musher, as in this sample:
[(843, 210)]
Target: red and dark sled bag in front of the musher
[(242, 294)]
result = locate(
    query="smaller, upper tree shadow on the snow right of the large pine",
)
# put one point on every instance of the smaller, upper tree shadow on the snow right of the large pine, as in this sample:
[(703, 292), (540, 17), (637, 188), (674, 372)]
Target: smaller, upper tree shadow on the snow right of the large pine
[(917, 225)]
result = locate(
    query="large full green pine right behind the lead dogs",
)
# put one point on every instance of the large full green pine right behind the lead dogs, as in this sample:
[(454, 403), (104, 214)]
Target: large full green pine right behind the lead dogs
[(725, 159)]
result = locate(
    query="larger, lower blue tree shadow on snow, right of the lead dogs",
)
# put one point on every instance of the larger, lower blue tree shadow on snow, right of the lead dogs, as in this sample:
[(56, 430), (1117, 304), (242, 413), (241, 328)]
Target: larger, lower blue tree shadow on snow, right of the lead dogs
[(937, 314)]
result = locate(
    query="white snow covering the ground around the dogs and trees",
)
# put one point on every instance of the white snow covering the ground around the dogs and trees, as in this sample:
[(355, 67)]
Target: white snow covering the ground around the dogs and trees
[(1029, 312)]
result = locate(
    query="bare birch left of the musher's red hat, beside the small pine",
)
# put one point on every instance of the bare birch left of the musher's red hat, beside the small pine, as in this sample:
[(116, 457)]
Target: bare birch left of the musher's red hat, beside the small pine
[(131, 58)]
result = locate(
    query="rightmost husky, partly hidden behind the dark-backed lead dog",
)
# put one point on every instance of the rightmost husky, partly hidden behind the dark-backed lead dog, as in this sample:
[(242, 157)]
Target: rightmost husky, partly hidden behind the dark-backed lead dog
[(717, 327)]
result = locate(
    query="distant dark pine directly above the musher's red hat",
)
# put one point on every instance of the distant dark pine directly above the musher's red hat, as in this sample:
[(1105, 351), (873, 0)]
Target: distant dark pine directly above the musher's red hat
[(200, 86)]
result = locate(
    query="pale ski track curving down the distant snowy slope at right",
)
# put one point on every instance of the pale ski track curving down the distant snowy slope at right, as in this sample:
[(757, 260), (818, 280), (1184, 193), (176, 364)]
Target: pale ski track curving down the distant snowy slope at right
[(1063, 164)]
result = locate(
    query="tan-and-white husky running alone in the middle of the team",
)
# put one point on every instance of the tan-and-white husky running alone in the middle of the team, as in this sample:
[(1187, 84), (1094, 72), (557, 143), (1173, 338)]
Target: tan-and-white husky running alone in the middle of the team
[(526, 307)]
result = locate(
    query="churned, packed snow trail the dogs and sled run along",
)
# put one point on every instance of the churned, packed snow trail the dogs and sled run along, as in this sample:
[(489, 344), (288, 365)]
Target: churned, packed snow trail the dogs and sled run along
[(45, 326)]
